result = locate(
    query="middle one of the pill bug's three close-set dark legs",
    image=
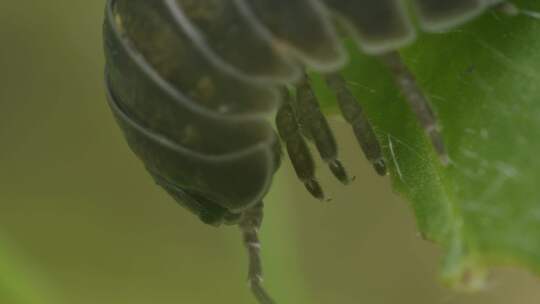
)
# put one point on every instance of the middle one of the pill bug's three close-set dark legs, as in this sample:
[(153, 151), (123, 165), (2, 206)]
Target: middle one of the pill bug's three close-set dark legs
[(313, 120)]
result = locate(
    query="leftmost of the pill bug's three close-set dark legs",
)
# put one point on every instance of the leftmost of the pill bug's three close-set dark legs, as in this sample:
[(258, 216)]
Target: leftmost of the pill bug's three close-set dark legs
[(297, 148)]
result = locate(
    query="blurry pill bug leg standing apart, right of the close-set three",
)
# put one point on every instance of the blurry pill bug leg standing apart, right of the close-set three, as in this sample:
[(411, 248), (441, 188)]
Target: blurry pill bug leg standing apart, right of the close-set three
[(418, 102)]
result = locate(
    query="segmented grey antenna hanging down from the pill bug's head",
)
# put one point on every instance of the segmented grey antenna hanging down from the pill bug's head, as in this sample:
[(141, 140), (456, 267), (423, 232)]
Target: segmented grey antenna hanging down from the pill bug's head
[(249, 225)]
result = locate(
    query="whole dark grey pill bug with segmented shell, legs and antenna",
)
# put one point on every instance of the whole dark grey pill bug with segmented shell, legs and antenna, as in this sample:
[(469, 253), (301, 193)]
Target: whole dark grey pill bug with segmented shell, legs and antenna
[(193, 83)]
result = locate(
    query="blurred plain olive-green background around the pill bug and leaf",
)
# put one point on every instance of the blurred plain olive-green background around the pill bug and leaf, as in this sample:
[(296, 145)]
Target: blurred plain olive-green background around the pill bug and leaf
[(82, 222)]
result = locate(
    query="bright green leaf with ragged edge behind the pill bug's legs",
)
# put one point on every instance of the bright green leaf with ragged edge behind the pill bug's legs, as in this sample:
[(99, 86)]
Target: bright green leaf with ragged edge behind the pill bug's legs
[(483, 81)]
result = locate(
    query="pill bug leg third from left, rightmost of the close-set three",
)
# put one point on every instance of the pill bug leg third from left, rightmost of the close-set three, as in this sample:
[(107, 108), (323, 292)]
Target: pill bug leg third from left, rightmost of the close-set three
[(355, 116)]
